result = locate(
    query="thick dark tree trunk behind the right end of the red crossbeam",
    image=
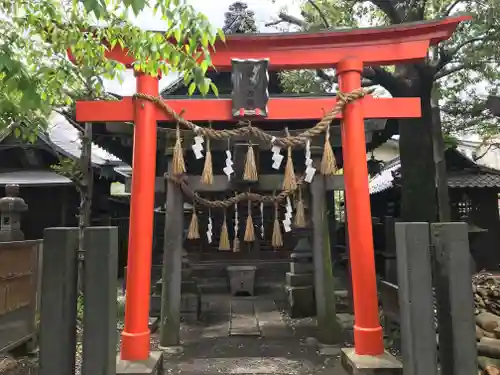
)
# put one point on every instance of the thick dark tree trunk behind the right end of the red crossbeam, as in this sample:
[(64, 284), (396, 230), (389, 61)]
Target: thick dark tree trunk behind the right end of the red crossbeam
[(418, 189)]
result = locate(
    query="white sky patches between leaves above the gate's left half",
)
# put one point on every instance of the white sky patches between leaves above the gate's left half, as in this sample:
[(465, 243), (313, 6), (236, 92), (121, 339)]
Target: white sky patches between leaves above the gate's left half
[(265, 11)]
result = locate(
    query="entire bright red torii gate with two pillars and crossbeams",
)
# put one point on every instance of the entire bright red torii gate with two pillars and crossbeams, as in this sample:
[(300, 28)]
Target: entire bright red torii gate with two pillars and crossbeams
[(348, 51)]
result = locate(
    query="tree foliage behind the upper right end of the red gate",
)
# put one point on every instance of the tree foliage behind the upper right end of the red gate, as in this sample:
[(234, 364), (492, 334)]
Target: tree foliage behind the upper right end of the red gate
[(463, 70)]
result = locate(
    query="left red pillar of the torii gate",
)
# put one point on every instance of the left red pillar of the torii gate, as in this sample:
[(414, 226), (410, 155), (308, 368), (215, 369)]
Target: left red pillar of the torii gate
[(136, 336)]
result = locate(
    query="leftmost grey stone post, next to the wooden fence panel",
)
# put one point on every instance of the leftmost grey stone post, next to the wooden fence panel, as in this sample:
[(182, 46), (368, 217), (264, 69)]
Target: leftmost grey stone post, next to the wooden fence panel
[(58, 302)]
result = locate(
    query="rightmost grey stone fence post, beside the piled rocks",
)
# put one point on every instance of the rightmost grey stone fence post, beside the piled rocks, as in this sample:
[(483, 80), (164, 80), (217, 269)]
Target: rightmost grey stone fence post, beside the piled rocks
[(452, 277)]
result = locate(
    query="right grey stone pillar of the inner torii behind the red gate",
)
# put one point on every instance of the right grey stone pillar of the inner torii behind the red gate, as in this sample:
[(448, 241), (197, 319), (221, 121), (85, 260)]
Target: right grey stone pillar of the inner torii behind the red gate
[(329, 331)]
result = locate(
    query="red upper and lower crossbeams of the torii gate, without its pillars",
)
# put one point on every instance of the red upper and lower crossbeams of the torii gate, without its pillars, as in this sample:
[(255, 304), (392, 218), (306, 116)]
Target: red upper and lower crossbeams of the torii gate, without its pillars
[(384, 45)]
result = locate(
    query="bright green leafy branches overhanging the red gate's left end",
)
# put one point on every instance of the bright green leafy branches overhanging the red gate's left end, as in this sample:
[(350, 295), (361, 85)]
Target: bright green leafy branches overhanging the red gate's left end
[(36, 76)]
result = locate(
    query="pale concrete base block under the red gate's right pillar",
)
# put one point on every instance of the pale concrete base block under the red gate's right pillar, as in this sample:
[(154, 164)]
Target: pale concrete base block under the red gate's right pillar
[(384, 364)]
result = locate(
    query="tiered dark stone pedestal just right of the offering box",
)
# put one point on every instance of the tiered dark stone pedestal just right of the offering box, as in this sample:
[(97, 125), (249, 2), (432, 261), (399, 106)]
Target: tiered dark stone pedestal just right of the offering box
[(299, 286)]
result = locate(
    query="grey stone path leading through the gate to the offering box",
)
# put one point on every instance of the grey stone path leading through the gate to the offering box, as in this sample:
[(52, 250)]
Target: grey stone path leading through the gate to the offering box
[(246, 336)]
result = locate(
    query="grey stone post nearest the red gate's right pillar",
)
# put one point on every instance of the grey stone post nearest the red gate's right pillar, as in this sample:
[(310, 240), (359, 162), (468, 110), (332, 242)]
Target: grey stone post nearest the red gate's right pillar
[(414, 267)]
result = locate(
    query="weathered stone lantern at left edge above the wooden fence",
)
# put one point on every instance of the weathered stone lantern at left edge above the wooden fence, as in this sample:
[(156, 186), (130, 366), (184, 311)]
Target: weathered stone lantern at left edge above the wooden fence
[(11, 207)]
